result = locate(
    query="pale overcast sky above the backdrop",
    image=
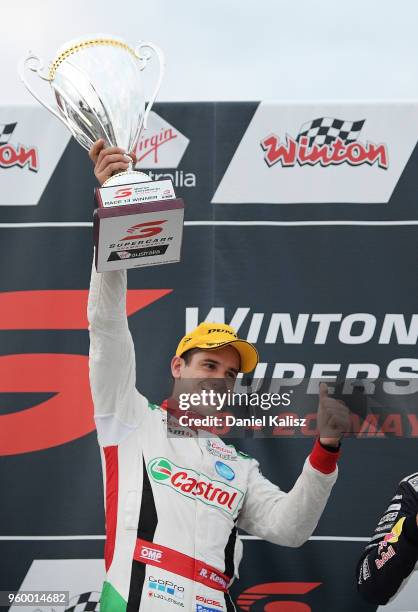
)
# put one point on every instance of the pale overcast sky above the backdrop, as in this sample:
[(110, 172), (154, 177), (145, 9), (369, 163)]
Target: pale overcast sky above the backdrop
[(234, 49)]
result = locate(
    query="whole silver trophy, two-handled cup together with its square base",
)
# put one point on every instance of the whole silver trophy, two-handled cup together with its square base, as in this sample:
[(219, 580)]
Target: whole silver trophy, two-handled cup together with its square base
[(98, 89)]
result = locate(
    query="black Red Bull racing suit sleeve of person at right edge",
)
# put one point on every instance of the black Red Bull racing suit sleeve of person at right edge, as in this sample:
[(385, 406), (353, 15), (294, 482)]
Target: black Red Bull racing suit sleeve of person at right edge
[(392, 553)]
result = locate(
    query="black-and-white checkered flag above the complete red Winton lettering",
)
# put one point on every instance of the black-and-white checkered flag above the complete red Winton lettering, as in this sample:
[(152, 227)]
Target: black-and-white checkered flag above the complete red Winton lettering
[(326, 130)]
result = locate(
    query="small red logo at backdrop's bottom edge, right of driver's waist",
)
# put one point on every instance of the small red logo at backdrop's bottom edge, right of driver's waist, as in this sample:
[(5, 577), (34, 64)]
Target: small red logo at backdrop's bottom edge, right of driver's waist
[(277, 596)]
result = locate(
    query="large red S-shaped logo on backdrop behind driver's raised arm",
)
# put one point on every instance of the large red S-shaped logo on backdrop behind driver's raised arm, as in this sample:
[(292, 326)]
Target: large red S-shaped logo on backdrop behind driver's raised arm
[(55, 387)]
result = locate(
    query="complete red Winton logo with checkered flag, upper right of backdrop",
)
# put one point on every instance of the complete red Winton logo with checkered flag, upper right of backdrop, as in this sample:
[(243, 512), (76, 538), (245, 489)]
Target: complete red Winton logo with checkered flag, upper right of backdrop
[(325, 141)]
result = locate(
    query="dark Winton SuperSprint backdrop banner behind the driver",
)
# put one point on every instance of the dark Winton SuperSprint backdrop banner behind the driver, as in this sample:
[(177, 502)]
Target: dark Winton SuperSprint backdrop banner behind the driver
[(300, 231)]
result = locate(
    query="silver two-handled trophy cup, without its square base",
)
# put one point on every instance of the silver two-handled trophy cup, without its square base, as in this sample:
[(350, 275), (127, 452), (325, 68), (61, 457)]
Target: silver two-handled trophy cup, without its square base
[(98, 89)]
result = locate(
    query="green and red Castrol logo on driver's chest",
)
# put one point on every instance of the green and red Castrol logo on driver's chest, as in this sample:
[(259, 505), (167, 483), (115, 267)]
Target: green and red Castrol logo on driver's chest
[(195, 485)]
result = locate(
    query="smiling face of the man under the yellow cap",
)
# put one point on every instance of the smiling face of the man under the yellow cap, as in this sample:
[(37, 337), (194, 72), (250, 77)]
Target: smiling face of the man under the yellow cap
[(214, 370)]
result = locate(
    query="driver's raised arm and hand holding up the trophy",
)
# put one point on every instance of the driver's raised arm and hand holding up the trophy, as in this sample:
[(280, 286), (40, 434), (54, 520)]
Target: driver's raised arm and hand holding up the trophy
[(117, 404)]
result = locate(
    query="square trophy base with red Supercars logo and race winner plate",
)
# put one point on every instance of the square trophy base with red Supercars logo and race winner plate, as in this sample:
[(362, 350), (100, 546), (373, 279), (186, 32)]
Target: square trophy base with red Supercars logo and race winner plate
[(137, 223)]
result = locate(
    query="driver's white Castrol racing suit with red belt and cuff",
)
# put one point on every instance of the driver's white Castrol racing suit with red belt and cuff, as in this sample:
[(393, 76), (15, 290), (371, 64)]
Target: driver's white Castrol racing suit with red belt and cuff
[(173, 504)]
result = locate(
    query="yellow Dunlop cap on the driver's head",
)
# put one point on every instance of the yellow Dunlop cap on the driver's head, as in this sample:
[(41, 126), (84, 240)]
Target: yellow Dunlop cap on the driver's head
[(209, 336)]
